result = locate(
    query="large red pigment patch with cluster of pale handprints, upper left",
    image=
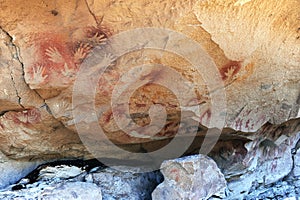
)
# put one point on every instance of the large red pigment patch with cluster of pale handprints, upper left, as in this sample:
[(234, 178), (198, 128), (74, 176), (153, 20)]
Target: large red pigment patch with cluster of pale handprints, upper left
[(58, 56)]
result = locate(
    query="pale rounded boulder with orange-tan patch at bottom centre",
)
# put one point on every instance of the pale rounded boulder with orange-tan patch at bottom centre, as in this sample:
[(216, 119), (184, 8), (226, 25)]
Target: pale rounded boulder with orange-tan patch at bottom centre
[(194, 177)]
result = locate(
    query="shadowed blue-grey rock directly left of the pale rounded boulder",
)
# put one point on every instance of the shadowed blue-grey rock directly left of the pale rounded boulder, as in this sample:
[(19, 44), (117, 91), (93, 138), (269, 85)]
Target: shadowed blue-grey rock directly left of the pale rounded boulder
[(125, 182)]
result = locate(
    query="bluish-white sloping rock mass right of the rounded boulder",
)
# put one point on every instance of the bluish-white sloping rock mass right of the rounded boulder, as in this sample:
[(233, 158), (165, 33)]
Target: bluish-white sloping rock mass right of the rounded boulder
[(253, 167)]
